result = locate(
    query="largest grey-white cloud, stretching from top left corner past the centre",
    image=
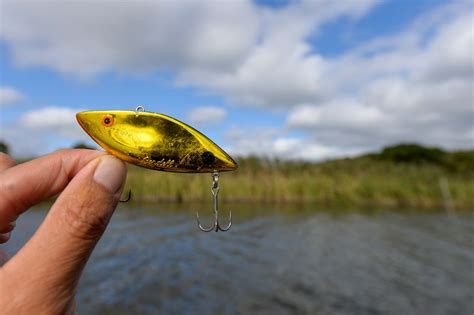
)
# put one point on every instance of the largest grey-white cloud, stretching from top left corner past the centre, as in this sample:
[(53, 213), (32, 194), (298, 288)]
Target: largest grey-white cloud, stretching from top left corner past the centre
[(231, 47)]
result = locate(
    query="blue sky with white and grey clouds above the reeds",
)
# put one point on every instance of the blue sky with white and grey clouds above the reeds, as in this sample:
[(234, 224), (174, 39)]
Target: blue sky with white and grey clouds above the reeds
[(308, 80)]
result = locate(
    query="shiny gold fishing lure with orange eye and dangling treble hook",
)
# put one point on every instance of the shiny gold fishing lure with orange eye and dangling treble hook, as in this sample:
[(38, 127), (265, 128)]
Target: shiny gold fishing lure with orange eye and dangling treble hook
[(159, 142)]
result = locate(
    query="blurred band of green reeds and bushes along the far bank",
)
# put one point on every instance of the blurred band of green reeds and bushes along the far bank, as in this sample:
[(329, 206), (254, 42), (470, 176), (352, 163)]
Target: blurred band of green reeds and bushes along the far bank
[(399, 176)]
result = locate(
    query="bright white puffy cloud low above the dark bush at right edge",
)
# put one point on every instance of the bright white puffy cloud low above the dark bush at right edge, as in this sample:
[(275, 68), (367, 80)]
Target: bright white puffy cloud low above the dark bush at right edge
[(393, 111)]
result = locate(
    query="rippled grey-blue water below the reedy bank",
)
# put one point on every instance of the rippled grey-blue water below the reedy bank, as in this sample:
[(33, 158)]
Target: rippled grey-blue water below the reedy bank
[(277, 261)]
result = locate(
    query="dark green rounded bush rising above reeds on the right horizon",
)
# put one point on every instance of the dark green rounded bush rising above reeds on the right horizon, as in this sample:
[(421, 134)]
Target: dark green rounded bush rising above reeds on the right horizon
[(413, 153)]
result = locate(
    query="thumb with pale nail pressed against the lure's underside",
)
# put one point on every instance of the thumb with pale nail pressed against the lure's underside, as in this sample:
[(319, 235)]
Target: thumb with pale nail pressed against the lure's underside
[(55, 256)]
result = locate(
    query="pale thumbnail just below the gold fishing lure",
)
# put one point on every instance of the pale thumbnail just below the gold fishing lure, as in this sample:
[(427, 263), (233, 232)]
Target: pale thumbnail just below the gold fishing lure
[(110, 173)]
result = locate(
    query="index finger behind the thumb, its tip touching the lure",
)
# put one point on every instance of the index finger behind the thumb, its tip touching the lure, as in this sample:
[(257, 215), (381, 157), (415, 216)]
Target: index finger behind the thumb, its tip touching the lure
[(28, 183)]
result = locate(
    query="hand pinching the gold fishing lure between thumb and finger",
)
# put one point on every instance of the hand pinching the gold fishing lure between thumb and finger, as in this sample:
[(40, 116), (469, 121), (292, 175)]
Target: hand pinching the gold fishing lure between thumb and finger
[(42, 277)]
